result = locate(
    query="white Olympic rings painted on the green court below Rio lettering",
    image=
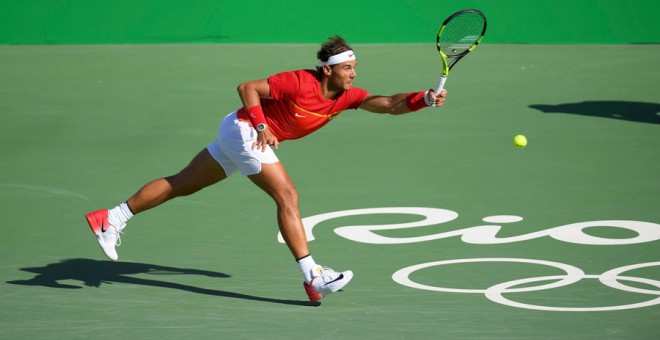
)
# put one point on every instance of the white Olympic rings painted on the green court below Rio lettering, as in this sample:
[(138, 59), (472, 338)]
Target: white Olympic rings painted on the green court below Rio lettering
[(611, 278)]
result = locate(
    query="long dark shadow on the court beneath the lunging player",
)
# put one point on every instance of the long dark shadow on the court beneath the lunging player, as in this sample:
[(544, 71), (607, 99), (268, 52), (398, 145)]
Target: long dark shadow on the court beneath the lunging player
[(94, 273)]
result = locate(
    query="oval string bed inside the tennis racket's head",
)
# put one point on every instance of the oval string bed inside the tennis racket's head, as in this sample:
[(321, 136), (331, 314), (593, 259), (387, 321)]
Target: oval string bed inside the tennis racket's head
[(460, 34)]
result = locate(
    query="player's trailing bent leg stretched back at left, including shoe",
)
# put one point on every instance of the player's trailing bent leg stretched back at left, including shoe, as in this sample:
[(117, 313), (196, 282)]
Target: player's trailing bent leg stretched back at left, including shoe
[(107, 225)]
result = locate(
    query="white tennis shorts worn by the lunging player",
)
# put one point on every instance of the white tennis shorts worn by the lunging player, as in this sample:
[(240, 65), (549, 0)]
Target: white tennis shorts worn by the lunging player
[(233, 148)]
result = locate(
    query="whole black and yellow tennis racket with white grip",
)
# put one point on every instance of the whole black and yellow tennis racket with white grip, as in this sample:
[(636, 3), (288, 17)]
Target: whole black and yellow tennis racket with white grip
[(458, 36)]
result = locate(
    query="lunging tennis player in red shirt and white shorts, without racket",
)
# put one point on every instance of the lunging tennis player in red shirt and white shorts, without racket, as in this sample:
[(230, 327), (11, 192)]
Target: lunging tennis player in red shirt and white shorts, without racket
[(287, 105)]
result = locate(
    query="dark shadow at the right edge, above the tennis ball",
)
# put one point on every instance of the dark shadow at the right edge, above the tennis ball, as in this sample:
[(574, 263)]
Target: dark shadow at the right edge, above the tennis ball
[(624, 110)]
